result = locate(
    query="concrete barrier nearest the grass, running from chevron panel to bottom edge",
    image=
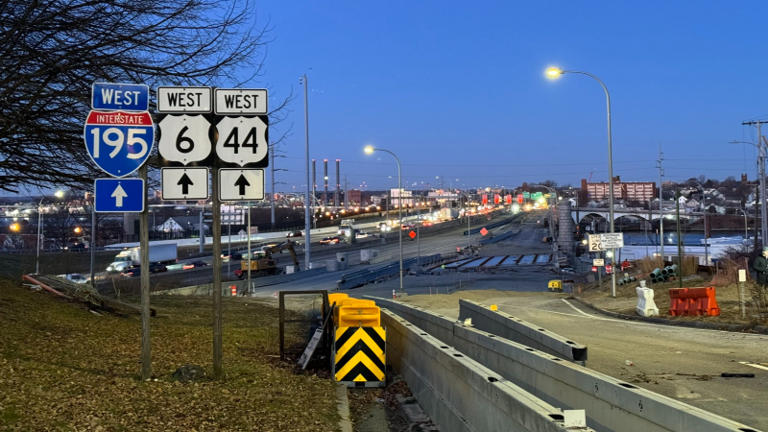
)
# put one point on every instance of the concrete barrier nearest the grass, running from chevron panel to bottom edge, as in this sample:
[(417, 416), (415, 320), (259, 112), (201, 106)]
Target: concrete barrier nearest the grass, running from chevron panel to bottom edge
[(459, 394)]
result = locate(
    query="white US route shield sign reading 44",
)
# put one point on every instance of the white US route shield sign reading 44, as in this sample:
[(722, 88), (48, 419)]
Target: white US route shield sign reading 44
[(242, 140)]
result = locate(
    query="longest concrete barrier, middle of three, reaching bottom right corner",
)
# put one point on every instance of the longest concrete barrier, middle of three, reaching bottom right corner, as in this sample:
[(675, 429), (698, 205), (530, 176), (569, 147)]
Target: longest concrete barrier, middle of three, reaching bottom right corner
[(610, 404)]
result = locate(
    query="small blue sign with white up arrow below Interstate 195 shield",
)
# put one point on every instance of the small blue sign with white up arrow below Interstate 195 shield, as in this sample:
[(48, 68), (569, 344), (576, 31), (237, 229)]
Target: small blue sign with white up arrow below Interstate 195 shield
[(119, 195)]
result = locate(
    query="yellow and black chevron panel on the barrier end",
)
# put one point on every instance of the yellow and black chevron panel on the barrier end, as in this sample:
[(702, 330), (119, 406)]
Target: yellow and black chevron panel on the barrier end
[(359, 356)]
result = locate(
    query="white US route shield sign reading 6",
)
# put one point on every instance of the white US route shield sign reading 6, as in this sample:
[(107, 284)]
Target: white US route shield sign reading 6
[(184, 138)]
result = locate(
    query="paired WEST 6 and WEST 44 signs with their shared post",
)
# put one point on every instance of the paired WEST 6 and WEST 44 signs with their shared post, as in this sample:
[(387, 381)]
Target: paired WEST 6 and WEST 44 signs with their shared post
[(220, 128)]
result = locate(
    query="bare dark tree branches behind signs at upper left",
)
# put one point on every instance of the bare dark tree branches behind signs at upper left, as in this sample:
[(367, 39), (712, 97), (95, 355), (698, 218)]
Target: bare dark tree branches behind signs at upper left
[(53, 50)]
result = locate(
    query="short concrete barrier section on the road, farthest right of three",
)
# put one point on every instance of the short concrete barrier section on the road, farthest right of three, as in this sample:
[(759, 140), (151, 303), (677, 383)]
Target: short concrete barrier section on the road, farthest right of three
[(517, 330)]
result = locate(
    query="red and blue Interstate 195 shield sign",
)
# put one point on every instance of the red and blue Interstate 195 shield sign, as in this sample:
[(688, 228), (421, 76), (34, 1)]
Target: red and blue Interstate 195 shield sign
[(119, 142)]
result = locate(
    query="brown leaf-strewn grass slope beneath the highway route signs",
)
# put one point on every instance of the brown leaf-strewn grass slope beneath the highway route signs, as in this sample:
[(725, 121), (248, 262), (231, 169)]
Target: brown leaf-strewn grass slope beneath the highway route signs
[(64, 368)]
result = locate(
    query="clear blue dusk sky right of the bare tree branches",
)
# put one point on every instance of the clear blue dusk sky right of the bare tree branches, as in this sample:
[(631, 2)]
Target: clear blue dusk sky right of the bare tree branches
[(457, 89)]
